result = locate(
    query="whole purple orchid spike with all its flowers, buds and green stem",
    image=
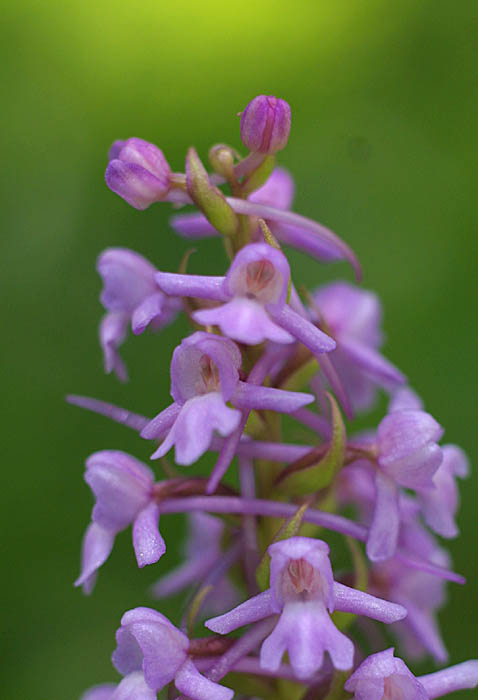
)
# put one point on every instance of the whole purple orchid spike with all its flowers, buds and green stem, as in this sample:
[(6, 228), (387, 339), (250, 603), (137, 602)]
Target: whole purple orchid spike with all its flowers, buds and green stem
[(257, 556)]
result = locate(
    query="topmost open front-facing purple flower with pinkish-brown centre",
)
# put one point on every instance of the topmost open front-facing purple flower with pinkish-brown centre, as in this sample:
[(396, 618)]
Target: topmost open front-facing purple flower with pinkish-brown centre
[(254, 294)]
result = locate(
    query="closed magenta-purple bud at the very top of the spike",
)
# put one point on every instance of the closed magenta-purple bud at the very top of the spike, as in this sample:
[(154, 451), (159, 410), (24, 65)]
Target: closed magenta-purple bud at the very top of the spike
[(265, 124)]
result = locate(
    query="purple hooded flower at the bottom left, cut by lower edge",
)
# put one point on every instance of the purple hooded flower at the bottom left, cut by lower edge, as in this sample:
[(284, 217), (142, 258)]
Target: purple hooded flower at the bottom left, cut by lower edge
[(148, 642)]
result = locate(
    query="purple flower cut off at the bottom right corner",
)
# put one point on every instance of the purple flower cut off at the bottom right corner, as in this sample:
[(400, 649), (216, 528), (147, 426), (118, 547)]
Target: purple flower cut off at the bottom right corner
[(382, 676)]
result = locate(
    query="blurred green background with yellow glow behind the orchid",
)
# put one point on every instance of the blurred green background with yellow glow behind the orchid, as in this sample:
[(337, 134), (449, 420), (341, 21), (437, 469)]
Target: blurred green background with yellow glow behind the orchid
[(384, 151)]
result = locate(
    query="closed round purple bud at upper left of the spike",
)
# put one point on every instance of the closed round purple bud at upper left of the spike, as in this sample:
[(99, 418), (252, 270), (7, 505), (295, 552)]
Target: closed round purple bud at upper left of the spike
[(138, 172)]
